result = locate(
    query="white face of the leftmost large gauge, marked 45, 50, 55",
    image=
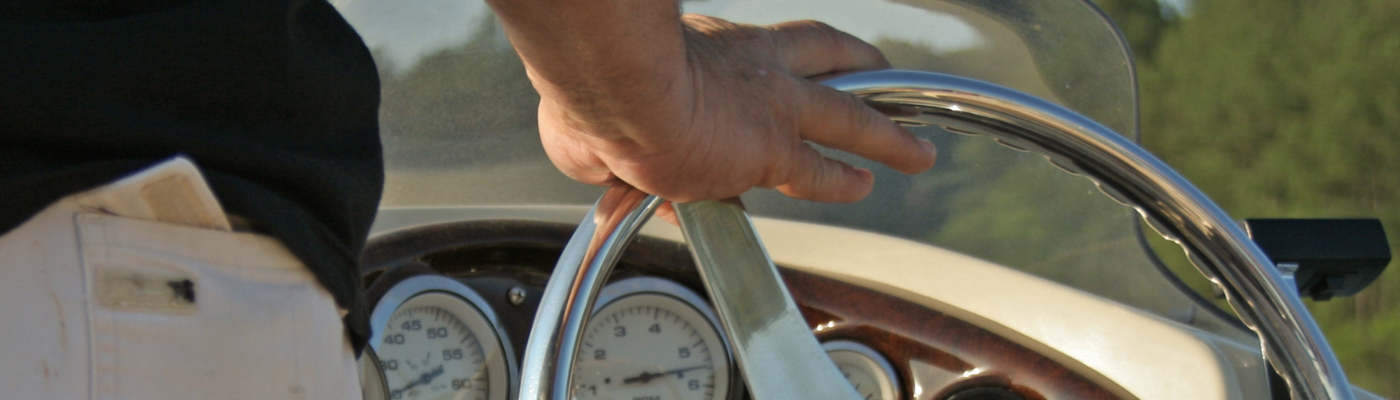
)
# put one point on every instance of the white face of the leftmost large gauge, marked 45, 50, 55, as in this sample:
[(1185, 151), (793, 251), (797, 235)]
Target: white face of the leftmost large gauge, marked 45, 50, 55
[(436, 346)]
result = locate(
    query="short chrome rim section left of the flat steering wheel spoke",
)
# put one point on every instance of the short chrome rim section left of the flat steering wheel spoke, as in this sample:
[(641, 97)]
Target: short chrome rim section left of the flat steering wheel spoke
[(573, 287)]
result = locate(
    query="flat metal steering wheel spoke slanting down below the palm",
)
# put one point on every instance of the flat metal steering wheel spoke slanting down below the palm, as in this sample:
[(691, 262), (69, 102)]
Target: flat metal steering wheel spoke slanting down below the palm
[(773, 346)]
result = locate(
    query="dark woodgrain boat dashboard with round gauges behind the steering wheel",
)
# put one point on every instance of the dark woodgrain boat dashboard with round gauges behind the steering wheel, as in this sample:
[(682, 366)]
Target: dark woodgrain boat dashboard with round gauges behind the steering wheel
[(453, 306)]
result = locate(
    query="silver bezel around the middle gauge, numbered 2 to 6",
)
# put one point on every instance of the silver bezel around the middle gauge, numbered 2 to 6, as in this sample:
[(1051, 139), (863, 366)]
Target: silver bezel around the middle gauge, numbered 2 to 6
[(638, 286)]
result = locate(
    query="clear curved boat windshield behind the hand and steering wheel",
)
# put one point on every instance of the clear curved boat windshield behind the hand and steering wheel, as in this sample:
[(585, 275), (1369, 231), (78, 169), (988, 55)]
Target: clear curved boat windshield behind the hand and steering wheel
[(458, 128)]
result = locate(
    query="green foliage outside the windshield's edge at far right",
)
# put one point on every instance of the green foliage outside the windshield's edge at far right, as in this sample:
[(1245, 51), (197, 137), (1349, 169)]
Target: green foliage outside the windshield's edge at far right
[(1286, 108)]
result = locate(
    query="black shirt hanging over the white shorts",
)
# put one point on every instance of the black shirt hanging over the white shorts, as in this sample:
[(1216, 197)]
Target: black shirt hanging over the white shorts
[(275, 100)]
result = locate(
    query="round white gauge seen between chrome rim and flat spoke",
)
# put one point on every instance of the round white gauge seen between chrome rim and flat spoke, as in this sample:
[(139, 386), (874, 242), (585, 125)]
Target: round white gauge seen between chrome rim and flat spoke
[(652, 339)]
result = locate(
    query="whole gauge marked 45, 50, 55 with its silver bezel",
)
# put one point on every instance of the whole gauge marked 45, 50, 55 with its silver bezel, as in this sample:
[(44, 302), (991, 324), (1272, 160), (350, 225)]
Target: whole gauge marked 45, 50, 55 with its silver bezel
[(436, 339)]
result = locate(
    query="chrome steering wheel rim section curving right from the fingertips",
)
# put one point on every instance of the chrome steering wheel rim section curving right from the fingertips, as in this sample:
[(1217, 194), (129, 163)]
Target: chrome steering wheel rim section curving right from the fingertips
[(1290, 338)]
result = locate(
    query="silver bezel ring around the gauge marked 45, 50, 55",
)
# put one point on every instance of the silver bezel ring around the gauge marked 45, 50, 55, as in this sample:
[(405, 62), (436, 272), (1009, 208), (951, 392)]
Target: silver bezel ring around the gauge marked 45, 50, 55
[(414, 287)]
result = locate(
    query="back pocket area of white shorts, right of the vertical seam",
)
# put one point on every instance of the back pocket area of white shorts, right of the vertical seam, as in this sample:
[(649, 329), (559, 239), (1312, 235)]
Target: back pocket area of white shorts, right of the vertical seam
[(180, 313)]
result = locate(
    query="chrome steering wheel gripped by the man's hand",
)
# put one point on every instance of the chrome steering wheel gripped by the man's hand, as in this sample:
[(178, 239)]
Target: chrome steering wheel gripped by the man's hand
[(776, 350)]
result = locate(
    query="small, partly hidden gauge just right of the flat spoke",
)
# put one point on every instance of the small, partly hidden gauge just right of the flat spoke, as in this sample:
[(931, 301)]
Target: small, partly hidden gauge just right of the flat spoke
[(866, 369)]
